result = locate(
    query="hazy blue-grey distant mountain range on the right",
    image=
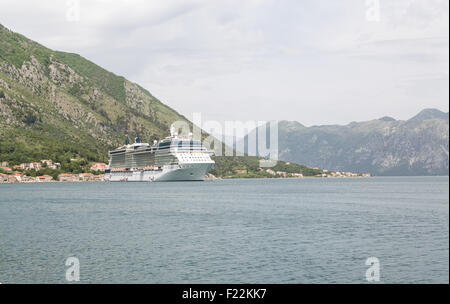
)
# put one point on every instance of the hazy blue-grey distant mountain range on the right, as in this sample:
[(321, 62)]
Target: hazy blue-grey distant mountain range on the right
[(385, 146)]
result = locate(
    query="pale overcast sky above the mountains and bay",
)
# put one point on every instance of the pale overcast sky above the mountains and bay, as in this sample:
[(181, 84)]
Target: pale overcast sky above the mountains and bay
[(314, 61)]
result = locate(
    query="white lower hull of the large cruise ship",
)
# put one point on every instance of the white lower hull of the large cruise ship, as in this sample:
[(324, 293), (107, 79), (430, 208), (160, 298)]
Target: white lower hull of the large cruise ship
[(182, 172)]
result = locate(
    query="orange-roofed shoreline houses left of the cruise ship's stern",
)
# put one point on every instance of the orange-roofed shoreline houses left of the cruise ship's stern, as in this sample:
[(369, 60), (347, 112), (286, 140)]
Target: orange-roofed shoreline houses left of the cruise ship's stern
[(21, 173)]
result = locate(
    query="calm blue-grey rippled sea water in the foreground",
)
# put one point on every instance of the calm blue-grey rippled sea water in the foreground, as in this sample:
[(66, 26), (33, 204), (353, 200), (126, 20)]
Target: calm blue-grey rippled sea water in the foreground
[(229, 231)]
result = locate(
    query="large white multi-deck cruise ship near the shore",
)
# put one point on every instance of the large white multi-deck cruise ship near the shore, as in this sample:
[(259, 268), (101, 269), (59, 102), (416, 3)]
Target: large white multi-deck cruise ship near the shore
[(173, 158)]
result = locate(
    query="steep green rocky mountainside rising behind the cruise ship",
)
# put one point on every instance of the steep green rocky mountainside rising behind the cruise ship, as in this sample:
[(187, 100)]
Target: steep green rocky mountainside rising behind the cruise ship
[(60, 106)]
